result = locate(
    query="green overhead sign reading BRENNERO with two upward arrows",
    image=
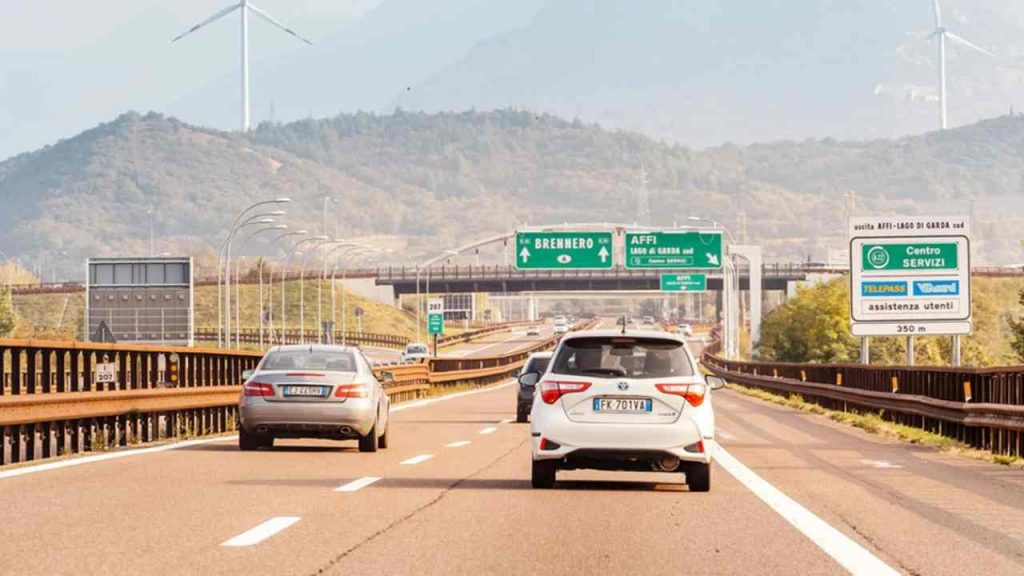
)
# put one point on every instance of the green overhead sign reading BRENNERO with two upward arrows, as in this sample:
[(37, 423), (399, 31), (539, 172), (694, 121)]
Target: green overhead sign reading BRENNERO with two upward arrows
[(564, 251)]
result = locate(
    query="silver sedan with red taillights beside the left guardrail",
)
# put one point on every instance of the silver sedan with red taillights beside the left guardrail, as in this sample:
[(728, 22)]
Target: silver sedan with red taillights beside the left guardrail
[(314, 391)]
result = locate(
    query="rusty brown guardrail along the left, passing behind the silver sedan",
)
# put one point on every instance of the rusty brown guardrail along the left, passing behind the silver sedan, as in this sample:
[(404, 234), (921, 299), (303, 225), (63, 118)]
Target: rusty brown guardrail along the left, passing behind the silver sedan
[(62, 397)]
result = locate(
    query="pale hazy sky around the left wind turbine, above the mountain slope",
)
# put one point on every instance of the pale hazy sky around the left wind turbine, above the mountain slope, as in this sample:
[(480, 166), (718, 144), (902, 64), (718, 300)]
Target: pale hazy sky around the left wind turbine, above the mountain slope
[(68, 65)]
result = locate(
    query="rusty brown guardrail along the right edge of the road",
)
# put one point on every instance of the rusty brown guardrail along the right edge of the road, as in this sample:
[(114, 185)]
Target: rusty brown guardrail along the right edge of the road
[(982, 407)]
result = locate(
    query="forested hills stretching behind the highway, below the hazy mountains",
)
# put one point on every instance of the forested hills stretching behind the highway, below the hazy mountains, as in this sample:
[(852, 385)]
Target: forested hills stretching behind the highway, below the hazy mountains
[(451, 178)]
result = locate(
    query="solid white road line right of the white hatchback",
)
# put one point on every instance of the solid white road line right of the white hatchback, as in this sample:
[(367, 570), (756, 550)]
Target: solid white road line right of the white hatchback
[(848, 554)]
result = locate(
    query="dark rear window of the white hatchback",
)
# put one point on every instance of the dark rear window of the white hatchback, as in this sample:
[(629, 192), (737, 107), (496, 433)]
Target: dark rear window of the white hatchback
[(624, 358)]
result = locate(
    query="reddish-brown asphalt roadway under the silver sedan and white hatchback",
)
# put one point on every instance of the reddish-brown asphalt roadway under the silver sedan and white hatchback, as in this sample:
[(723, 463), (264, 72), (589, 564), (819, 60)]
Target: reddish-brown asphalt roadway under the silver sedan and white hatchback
[(454, 498)]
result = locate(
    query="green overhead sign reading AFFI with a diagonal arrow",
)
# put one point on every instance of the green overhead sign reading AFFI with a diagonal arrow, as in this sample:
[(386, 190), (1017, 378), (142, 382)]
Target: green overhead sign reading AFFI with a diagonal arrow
[(674, 250)]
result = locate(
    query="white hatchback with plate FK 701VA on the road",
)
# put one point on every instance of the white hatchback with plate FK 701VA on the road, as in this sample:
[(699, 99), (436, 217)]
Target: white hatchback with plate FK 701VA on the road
[(616, 400)]
